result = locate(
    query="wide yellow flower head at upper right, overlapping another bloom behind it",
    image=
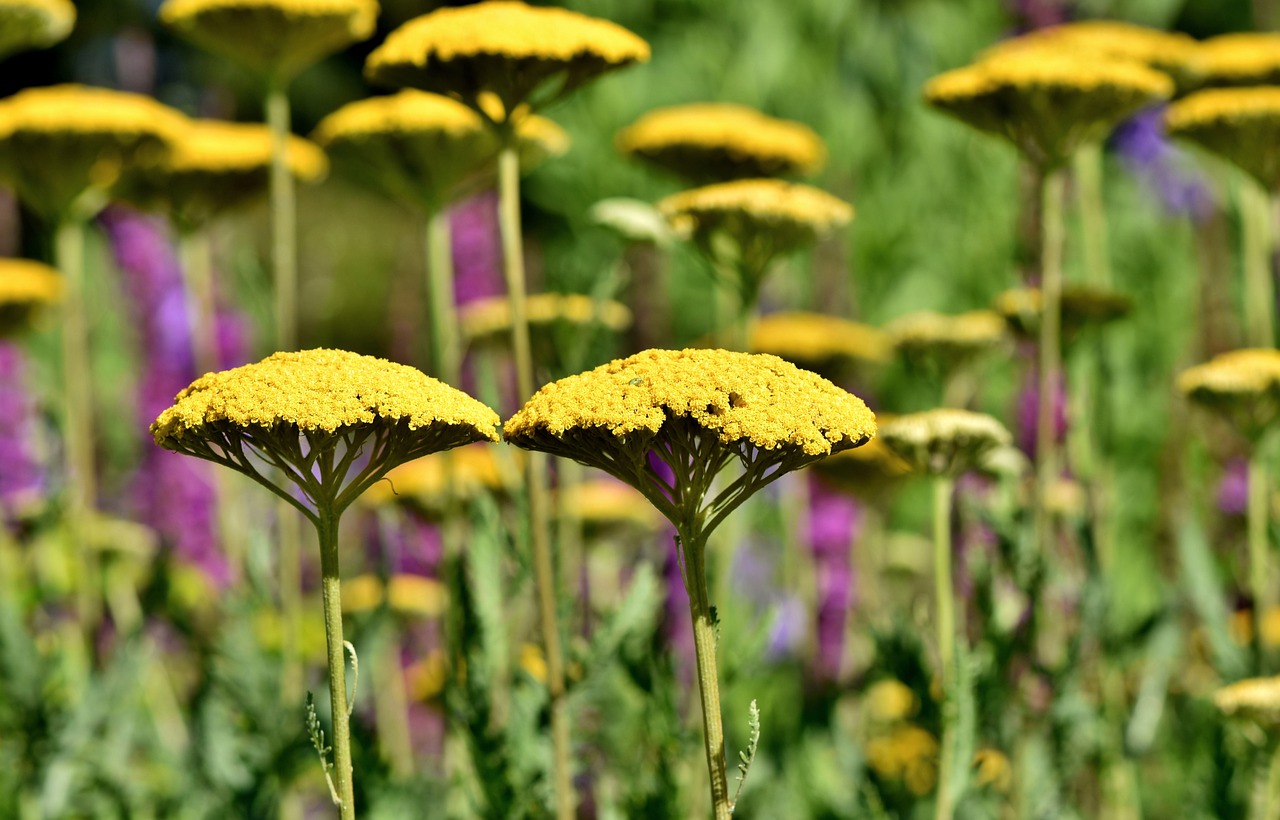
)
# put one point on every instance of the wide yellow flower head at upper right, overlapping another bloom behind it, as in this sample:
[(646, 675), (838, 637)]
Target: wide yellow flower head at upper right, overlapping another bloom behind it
[(1048, 103)]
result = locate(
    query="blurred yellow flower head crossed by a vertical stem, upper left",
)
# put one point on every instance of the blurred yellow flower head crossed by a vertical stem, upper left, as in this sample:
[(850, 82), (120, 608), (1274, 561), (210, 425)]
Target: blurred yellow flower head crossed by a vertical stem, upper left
[(217, 167)]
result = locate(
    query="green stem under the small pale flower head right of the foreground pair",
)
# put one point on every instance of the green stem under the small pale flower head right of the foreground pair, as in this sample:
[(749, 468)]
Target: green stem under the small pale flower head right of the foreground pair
[(944, 593)]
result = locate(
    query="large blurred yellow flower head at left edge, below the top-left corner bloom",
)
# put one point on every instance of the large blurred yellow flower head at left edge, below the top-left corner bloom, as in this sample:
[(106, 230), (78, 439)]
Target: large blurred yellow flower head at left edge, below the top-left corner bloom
[(58, 143)]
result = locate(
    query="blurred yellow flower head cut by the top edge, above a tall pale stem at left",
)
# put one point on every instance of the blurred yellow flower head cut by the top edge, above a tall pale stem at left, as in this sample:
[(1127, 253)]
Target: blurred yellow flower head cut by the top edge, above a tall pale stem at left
[(275, 38)]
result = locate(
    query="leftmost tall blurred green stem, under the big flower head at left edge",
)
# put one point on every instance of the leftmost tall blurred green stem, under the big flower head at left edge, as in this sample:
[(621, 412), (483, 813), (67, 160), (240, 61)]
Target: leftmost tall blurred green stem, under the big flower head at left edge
[(79, 416)]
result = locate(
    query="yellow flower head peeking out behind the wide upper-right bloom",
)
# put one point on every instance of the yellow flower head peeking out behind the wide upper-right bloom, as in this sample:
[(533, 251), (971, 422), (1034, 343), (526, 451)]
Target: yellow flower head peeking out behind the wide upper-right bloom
[(1172, 53)]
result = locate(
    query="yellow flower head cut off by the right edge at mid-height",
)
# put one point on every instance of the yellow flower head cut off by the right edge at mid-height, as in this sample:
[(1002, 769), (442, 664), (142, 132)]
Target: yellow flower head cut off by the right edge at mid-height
[(1244, 387)]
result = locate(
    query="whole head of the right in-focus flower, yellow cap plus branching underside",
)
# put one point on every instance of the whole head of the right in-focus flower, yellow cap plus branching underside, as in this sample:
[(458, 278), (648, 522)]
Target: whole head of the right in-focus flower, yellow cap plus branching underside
[(694, 411)]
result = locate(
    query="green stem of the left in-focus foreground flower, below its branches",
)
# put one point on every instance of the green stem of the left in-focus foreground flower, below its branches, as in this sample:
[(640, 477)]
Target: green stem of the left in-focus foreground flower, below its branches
[(327, 528)]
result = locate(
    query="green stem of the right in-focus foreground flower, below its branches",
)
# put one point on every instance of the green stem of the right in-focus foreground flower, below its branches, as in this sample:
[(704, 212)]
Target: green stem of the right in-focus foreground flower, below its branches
[(708, 684)]
